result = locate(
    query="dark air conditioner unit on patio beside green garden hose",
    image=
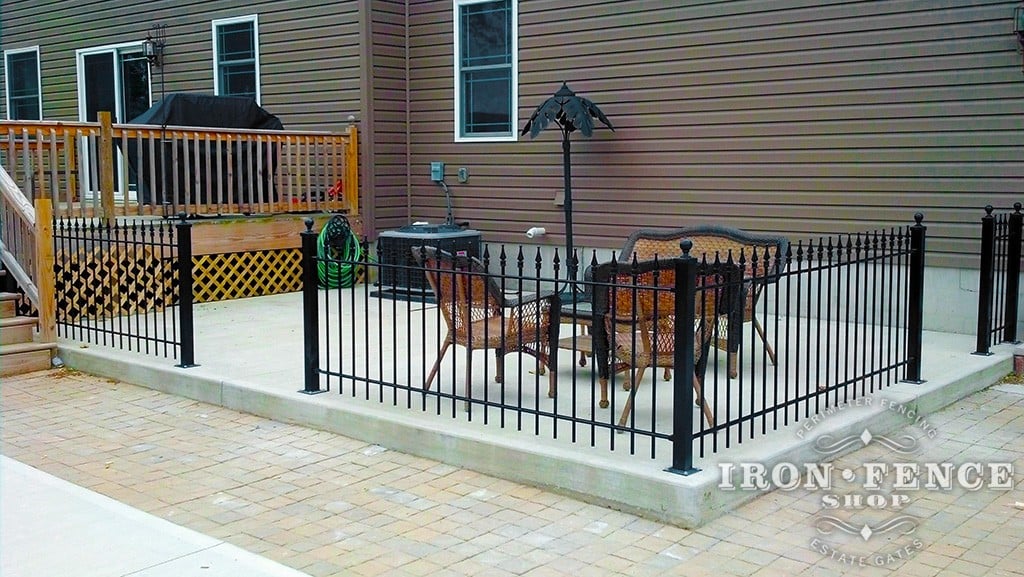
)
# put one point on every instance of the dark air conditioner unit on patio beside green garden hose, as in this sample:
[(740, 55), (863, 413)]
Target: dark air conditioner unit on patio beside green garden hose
[(395, 253)]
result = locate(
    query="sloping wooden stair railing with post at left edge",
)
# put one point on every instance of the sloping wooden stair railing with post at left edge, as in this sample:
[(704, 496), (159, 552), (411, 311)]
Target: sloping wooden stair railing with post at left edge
[(27, 251)]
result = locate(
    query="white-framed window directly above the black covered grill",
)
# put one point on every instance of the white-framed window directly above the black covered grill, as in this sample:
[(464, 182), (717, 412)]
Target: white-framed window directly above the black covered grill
[(236, 57)]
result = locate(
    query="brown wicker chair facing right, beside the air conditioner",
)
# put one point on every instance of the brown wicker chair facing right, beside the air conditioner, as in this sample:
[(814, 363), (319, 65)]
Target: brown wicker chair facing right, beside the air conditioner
[(480, 316)]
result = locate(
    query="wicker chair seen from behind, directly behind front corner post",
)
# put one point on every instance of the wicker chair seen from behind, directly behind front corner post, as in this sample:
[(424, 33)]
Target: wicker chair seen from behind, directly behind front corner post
[(641, 324)]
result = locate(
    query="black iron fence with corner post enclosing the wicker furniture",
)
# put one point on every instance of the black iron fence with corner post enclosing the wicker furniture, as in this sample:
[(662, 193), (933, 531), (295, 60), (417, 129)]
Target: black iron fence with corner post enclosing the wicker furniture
[(838, 319)]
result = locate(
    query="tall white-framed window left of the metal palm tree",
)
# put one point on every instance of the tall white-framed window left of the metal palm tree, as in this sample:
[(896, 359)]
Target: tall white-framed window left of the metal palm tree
[(486, 70)]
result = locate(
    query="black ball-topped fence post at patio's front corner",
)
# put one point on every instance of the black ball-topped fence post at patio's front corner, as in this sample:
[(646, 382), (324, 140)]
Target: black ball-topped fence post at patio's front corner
[(682, 379)]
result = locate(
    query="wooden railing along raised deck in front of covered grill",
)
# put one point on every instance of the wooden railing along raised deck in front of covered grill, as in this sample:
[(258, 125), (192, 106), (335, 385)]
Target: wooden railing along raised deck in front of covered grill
[(103, 170)]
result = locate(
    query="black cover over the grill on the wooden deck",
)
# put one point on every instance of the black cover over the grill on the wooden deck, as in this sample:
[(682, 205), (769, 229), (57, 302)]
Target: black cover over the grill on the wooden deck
[(203, 111)]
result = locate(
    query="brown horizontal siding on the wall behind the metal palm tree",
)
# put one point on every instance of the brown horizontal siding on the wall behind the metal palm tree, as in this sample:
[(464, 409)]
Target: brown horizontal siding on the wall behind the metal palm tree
[(805, 118)]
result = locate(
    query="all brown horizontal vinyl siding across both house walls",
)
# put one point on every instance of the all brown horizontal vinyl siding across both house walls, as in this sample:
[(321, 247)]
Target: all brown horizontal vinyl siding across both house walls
[(800, 117)]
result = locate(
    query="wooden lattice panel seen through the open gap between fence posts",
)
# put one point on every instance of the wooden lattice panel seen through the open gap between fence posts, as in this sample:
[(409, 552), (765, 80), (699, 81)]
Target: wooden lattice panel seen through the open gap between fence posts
[(240, 275)]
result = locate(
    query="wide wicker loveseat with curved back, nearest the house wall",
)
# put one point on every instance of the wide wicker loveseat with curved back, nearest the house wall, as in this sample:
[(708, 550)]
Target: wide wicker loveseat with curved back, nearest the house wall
[(764, 257)]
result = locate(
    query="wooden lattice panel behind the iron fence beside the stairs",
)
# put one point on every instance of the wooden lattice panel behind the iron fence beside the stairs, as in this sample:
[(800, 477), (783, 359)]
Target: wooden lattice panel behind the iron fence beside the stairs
[(111, 282)]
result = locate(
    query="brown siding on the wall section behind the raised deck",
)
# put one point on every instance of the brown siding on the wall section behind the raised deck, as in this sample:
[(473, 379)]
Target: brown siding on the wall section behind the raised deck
[(310, 52)]
